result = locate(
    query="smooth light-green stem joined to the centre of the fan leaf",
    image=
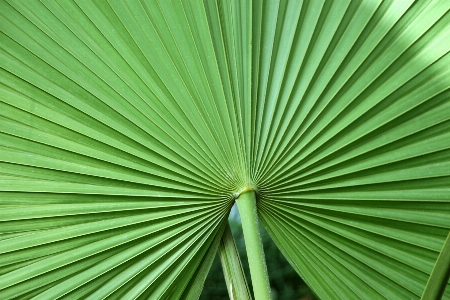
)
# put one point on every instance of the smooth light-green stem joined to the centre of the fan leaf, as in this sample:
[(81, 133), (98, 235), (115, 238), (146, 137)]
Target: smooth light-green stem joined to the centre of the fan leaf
[(246, 203)]
